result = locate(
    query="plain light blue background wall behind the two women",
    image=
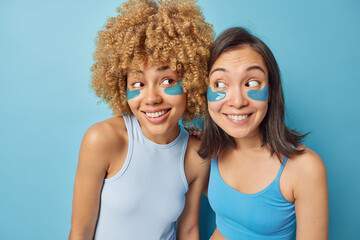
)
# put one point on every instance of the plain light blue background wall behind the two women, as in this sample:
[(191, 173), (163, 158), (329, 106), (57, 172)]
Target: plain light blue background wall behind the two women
[(46, 104)]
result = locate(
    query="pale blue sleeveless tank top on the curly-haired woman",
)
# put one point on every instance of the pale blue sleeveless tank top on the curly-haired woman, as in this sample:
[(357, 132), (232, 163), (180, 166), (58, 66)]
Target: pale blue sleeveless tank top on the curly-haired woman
[(146, 197)]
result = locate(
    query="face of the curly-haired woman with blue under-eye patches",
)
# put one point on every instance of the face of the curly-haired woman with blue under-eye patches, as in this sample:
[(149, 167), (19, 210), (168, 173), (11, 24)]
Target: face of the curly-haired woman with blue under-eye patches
[(157, 100)]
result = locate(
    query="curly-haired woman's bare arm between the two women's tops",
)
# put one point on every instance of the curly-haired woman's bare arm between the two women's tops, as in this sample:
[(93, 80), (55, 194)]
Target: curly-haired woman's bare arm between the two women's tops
[(197, 172)]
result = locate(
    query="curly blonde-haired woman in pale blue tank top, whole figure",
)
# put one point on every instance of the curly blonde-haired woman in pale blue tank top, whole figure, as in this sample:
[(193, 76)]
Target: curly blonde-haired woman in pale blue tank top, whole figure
[(139, 172)]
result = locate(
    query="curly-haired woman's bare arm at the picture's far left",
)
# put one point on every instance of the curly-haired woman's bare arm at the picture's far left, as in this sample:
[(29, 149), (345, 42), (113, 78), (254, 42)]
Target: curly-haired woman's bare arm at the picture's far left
[(92, 167)]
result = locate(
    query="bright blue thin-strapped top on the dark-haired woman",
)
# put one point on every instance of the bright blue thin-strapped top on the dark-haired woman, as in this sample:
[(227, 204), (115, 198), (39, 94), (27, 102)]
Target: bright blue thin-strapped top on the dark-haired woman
[(263, 215)]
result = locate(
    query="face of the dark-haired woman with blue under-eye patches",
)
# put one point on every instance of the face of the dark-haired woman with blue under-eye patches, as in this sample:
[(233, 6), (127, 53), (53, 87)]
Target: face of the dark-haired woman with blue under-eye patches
[(238, 94)]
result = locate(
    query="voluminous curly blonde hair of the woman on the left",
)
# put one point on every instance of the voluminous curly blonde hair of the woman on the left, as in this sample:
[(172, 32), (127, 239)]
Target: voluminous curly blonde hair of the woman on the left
[(171, 32)]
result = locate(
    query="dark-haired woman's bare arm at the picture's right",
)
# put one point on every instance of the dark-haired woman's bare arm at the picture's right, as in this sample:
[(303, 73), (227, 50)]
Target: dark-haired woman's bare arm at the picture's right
[(311, 198)]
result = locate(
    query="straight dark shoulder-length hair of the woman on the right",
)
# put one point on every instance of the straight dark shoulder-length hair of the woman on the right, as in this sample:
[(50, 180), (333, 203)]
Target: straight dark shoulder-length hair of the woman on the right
[(275, 134)]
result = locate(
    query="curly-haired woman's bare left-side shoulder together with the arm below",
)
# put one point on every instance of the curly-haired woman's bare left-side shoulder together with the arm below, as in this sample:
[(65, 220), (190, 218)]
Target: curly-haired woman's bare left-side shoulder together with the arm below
[(100, 143)]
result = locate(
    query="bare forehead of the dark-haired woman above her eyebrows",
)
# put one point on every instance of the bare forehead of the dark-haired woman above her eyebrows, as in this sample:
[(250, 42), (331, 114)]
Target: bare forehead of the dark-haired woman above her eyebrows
[(239, 59)]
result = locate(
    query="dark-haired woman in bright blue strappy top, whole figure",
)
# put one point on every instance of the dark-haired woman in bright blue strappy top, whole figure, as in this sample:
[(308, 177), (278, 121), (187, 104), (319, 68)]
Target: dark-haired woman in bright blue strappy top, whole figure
[(263, 183)]
